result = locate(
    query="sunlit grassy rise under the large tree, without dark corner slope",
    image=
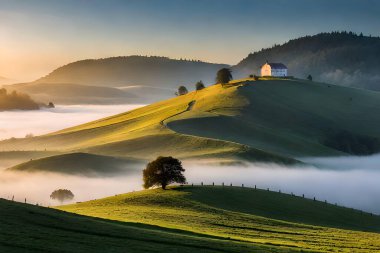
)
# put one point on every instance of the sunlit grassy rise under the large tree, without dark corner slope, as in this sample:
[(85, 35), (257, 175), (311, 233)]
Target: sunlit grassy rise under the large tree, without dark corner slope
[(255, 216)]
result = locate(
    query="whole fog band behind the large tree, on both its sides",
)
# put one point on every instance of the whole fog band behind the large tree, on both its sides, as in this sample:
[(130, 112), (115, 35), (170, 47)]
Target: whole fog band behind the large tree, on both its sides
[(347, 181)]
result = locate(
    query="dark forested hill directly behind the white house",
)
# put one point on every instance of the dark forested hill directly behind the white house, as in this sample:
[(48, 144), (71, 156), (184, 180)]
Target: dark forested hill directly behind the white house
[(343, 58)]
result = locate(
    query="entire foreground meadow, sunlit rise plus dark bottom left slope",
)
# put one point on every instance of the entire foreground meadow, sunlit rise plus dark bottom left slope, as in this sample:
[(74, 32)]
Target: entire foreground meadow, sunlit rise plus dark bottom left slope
[(189, 219)]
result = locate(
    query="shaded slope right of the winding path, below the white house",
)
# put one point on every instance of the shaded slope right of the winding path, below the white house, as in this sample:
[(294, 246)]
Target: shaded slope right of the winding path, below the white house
[(289, 117)]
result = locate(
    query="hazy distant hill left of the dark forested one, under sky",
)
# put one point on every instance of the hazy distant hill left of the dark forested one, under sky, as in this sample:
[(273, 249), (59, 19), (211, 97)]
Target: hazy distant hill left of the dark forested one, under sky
[(134, 70)]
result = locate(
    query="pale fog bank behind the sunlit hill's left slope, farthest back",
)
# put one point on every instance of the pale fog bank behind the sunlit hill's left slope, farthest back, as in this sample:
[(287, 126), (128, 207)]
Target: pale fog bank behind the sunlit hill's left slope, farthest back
[(20, 123)]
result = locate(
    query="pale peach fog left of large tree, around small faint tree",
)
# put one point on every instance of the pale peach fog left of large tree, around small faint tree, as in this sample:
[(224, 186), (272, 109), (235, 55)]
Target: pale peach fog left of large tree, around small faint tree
[(37, 187)]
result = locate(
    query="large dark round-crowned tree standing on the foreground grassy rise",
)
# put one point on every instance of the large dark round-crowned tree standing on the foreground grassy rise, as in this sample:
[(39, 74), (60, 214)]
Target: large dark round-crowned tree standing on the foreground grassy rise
[(163, 171)]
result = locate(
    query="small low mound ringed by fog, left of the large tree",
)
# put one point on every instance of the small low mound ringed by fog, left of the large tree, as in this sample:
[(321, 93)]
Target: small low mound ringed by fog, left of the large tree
[(81, 164)]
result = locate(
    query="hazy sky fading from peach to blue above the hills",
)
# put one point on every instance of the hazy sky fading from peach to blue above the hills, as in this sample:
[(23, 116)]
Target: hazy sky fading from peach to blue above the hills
[(37, 36)]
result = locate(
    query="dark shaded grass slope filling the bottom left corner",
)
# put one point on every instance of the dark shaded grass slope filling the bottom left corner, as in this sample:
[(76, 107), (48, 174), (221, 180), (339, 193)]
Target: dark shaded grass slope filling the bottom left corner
[(28, 228)]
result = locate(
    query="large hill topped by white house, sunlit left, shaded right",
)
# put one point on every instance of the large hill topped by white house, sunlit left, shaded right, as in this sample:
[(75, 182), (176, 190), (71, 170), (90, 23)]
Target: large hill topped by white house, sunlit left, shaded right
[(265, 120)]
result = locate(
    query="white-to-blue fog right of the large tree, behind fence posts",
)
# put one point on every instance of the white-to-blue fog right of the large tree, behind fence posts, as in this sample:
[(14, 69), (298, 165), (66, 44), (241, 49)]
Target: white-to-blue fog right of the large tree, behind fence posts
[(351, 188)]
